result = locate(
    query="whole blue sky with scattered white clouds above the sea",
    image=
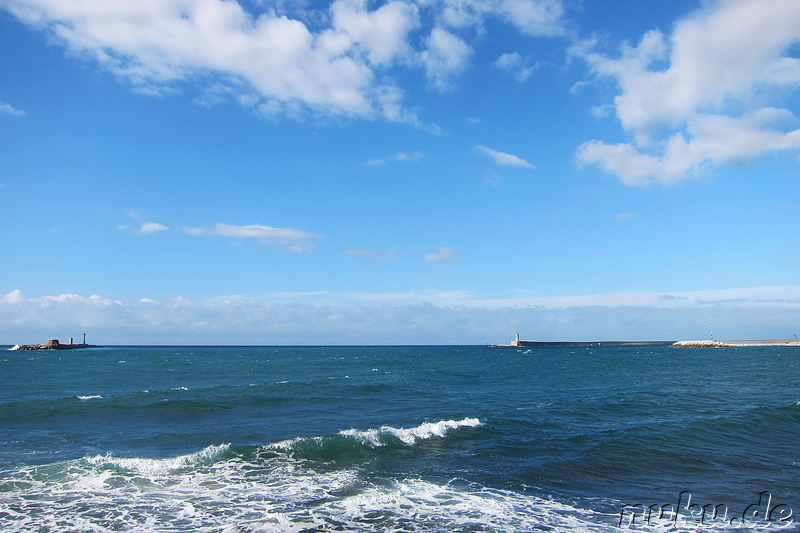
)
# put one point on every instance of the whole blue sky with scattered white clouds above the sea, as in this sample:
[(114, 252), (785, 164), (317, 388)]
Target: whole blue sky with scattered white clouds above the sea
[(401, 172)]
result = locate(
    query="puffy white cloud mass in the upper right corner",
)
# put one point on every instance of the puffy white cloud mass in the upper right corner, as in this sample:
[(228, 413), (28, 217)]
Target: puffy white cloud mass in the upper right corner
[(701, 96)]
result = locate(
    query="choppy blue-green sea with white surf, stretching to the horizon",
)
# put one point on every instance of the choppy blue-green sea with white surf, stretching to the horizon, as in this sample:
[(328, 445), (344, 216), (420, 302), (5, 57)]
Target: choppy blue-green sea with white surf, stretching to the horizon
[(422, 439)]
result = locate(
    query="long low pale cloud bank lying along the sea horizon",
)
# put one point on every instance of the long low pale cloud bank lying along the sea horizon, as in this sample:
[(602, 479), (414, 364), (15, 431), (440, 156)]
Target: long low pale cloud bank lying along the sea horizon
[(413, 318)]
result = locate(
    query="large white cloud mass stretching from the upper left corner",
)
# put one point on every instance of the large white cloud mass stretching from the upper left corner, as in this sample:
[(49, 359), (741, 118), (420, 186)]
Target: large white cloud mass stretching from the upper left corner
[(157, 43)]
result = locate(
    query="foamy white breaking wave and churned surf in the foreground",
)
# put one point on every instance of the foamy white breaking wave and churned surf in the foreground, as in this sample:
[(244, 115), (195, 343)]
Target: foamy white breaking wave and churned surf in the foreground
[(225, 488)]
